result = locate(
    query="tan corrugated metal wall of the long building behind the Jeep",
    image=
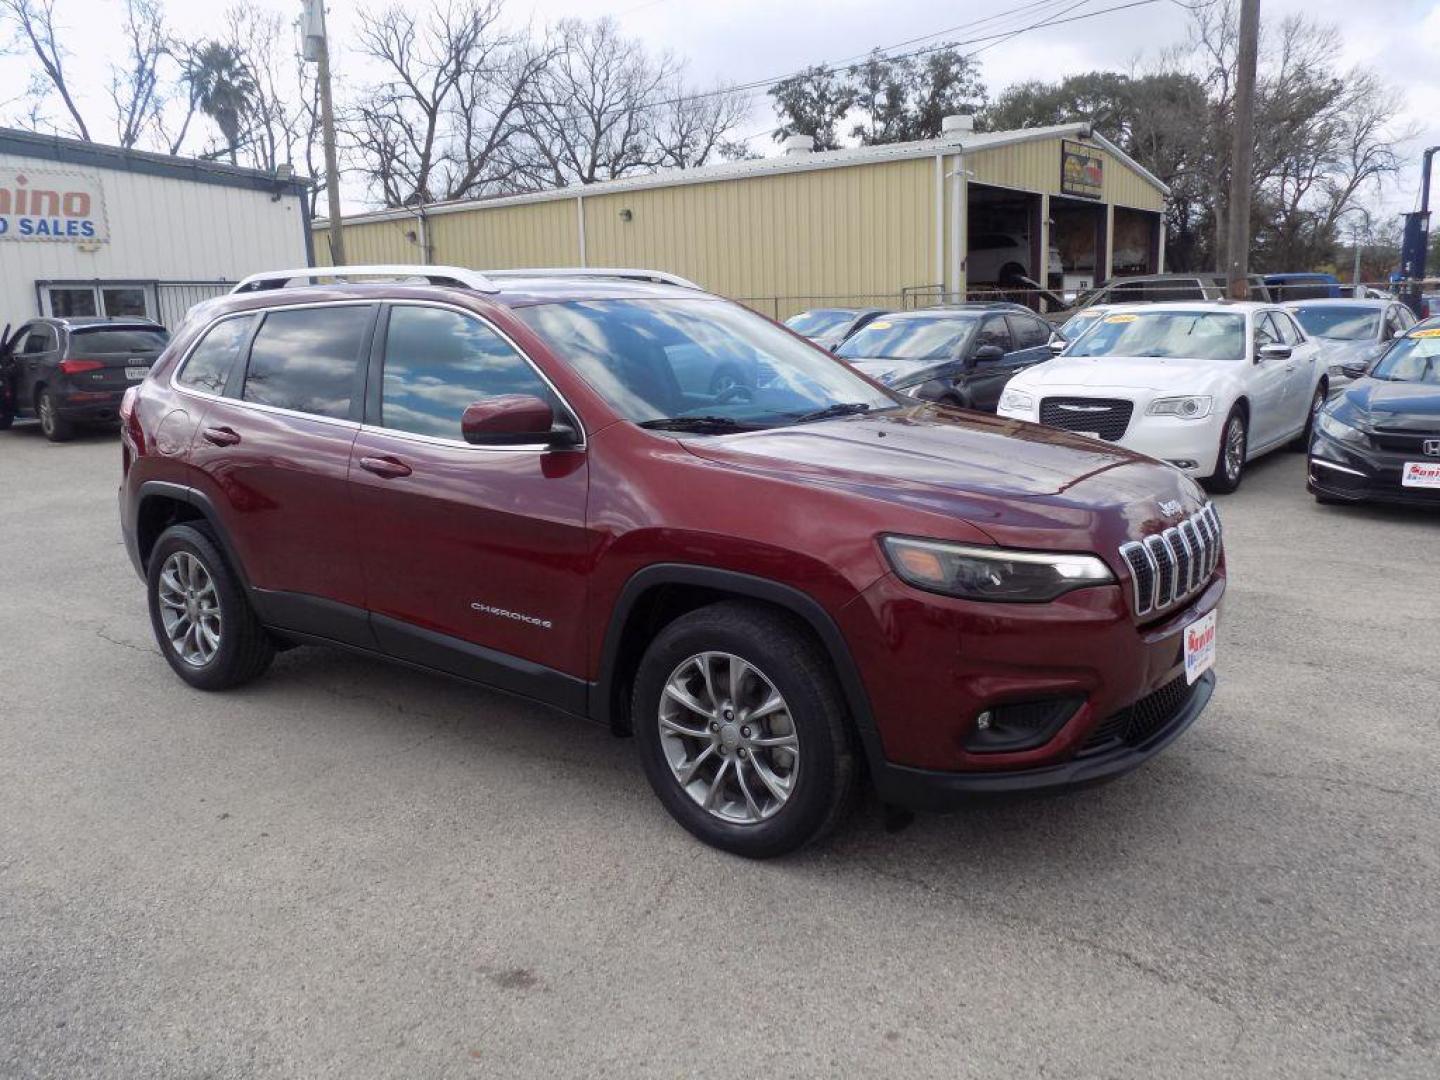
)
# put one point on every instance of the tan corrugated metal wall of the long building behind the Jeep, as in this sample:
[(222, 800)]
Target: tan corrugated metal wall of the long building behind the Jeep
[(783, 243)]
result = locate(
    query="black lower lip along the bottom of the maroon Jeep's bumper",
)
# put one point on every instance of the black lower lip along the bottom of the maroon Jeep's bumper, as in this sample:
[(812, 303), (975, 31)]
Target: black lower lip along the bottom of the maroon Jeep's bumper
[(940, 791)]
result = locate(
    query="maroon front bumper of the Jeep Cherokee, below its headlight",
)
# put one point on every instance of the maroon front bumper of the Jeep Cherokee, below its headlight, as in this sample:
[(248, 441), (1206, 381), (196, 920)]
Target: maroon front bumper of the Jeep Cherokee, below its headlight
[(931, 666)]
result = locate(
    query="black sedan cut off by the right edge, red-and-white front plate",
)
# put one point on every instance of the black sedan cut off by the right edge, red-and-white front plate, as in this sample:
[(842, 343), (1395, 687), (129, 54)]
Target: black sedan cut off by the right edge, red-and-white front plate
[(1380, 438)]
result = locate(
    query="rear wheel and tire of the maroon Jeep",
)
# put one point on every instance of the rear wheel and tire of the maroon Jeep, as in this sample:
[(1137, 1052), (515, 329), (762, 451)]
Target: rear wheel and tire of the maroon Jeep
[(201, 617)]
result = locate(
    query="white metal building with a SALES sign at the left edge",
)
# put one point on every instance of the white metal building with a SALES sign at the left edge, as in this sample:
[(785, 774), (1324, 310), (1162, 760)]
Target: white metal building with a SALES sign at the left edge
[(99, 231)]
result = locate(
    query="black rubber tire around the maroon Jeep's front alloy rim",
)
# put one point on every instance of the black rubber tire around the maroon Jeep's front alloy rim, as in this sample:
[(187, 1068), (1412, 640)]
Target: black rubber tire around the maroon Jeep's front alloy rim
[(814, 709)]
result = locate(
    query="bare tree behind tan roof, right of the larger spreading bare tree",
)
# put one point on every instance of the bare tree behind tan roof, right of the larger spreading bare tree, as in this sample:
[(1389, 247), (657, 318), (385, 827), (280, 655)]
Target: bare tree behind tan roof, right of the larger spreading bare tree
[(591, 119)]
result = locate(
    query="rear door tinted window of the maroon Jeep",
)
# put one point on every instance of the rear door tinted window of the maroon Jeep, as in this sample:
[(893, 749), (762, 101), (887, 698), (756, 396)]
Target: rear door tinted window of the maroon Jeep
[(307, 359)]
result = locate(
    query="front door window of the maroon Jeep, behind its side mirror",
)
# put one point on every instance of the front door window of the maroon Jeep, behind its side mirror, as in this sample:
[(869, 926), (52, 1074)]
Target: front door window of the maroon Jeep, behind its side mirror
[(438, 362)]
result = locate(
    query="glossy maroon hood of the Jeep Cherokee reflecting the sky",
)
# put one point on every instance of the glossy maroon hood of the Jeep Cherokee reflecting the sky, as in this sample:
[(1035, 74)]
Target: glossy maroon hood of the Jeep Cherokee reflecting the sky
[(1020, 483)]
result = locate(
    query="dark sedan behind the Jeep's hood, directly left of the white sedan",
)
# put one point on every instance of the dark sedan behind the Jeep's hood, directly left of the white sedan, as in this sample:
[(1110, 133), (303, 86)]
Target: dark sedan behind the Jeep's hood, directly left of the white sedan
[(961, 355)]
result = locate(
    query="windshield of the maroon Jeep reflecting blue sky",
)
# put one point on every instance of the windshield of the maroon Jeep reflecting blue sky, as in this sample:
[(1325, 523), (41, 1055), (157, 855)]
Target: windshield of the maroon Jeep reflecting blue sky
[(703, 361)]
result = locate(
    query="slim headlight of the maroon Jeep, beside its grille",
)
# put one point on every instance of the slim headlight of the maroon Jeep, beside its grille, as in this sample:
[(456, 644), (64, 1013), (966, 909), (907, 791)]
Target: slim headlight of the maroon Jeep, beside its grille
[(993, 574)]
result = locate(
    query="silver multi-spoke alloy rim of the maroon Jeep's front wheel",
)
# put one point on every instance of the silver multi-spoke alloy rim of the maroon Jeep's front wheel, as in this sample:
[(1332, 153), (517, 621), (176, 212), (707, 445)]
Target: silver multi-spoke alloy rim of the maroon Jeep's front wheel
[(729, 738)]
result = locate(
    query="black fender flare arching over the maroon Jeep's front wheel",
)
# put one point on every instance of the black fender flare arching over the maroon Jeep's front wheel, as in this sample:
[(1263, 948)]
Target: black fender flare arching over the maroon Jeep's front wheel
[(788, 598)]
